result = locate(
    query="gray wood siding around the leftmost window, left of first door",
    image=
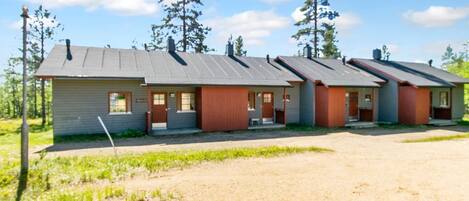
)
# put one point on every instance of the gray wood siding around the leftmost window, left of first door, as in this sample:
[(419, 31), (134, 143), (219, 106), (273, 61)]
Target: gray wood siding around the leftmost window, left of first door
[(78, 103)]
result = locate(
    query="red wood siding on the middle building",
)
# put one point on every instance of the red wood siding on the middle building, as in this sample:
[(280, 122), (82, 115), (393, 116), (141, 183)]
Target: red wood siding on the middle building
[(330, 106)]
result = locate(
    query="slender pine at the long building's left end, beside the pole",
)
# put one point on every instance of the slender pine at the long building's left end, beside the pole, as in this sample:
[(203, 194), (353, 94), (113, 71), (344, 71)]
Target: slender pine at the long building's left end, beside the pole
[(43, 27)]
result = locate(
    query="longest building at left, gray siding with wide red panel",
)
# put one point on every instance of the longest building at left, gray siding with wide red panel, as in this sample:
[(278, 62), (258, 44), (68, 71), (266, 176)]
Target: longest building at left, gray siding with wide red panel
[(166, 90)]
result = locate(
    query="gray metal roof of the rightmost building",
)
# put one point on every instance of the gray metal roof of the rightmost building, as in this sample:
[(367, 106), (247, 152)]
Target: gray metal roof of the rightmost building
[(414, 73)]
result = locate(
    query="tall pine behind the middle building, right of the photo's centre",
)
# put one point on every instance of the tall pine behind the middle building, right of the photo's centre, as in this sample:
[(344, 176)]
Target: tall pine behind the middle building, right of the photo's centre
[(314, 11)]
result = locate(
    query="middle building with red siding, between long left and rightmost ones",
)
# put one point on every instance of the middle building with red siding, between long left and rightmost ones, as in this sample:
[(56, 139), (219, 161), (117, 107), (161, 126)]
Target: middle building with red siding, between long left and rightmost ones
[(334, 93)]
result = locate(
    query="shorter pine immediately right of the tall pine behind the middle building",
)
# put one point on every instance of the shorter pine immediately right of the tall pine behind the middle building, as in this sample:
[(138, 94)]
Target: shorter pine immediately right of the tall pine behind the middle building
[(329, 48)]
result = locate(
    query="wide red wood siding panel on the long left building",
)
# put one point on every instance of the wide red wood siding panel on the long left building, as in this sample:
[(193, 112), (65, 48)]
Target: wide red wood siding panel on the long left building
[(222, 108)]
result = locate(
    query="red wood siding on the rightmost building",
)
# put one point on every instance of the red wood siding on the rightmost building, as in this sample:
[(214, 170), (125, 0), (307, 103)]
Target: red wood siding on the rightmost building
[(413, 105)]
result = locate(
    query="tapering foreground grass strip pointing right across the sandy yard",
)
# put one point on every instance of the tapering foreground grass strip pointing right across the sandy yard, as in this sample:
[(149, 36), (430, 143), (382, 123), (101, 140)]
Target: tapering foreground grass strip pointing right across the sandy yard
[(50, 174)]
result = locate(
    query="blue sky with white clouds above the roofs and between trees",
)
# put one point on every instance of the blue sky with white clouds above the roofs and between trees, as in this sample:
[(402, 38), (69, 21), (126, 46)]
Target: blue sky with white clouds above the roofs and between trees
[(414, 31)]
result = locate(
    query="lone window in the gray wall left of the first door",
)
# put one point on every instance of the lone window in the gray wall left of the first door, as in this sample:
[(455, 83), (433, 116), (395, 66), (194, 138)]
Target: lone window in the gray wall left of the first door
[(120, 102)]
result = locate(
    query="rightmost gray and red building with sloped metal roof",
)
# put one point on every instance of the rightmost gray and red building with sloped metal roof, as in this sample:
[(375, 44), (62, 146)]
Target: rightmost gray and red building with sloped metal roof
[(415, 93)]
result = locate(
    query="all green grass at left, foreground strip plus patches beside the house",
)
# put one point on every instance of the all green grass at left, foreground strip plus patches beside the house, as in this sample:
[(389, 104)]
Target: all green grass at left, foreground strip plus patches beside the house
[(66, 178)]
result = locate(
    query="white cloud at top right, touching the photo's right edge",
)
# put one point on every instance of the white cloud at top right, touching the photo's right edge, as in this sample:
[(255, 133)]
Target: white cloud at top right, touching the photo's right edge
[(436, 16)]
